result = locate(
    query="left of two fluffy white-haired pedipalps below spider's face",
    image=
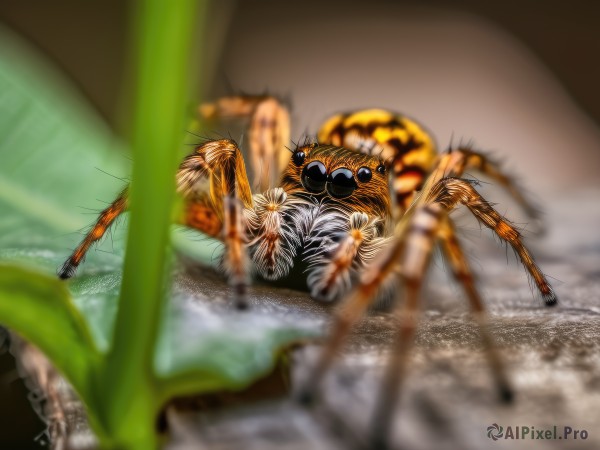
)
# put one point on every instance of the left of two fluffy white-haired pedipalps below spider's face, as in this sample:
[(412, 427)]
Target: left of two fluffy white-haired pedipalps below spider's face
[(273, 240)]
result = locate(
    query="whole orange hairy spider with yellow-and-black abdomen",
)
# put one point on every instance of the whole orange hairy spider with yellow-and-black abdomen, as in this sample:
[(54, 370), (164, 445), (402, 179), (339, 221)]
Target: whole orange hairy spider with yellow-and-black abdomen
[(358, 211)]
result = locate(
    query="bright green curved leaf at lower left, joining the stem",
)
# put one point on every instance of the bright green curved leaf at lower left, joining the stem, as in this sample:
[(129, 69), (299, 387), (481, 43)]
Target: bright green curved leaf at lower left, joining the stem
[(40, 308)]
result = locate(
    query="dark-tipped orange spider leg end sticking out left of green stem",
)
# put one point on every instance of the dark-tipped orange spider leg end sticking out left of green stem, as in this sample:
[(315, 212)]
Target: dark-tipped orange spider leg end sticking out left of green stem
[(104, 221)]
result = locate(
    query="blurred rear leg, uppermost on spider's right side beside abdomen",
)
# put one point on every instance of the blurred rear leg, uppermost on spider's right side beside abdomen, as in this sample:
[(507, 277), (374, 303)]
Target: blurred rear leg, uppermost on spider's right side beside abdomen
[(472, 159)]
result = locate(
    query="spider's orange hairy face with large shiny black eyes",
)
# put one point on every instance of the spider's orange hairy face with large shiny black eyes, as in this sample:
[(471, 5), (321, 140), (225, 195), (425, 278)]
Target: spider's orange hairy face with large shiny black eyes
[(349, 178)]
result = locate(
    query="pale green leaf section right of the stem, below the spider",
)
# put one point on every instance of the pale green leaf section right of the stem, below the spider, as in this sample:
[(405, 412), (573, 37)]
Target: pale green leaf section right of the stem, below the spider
[(207, 345)]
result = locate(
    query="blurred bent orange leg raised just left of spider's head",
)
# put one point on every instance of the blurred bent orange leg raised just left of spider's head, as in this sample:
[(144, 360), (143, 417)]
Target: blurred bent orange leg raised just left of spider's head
[(269, 131)]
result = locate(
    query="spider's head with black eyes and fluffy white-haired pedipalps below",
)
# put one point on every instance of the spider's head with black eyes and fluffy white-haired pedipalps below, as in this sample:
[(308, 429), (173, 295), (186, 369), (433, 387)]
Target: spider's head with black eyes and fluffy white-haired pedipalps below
[(329, 216)]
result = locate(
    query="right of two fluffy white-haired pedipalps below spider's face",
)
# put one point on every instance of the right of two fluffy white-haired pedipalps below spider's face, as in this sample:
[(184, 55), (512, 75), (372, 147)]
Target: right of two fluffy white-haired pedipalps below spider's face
[(337, 250)]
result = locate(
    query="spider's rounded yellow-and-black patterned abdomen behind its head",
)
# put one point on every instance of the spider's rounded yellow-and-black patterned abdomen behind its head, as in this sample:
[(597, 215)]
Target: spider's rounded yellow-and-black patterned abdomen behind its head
[(408, 150)]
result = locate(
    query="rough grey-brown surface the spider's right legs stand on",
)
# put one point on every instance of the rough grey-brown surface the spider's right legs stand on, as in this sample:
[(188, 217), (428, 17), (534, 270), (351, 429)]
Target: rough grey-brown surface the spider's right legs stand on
[(448, 399)]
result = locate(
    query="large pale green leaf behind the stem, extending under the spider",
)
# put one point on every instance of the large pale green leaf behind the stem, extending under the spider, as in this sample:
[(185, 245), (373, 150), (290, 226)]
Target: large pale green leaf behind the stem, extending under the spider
[(55, 151)]
